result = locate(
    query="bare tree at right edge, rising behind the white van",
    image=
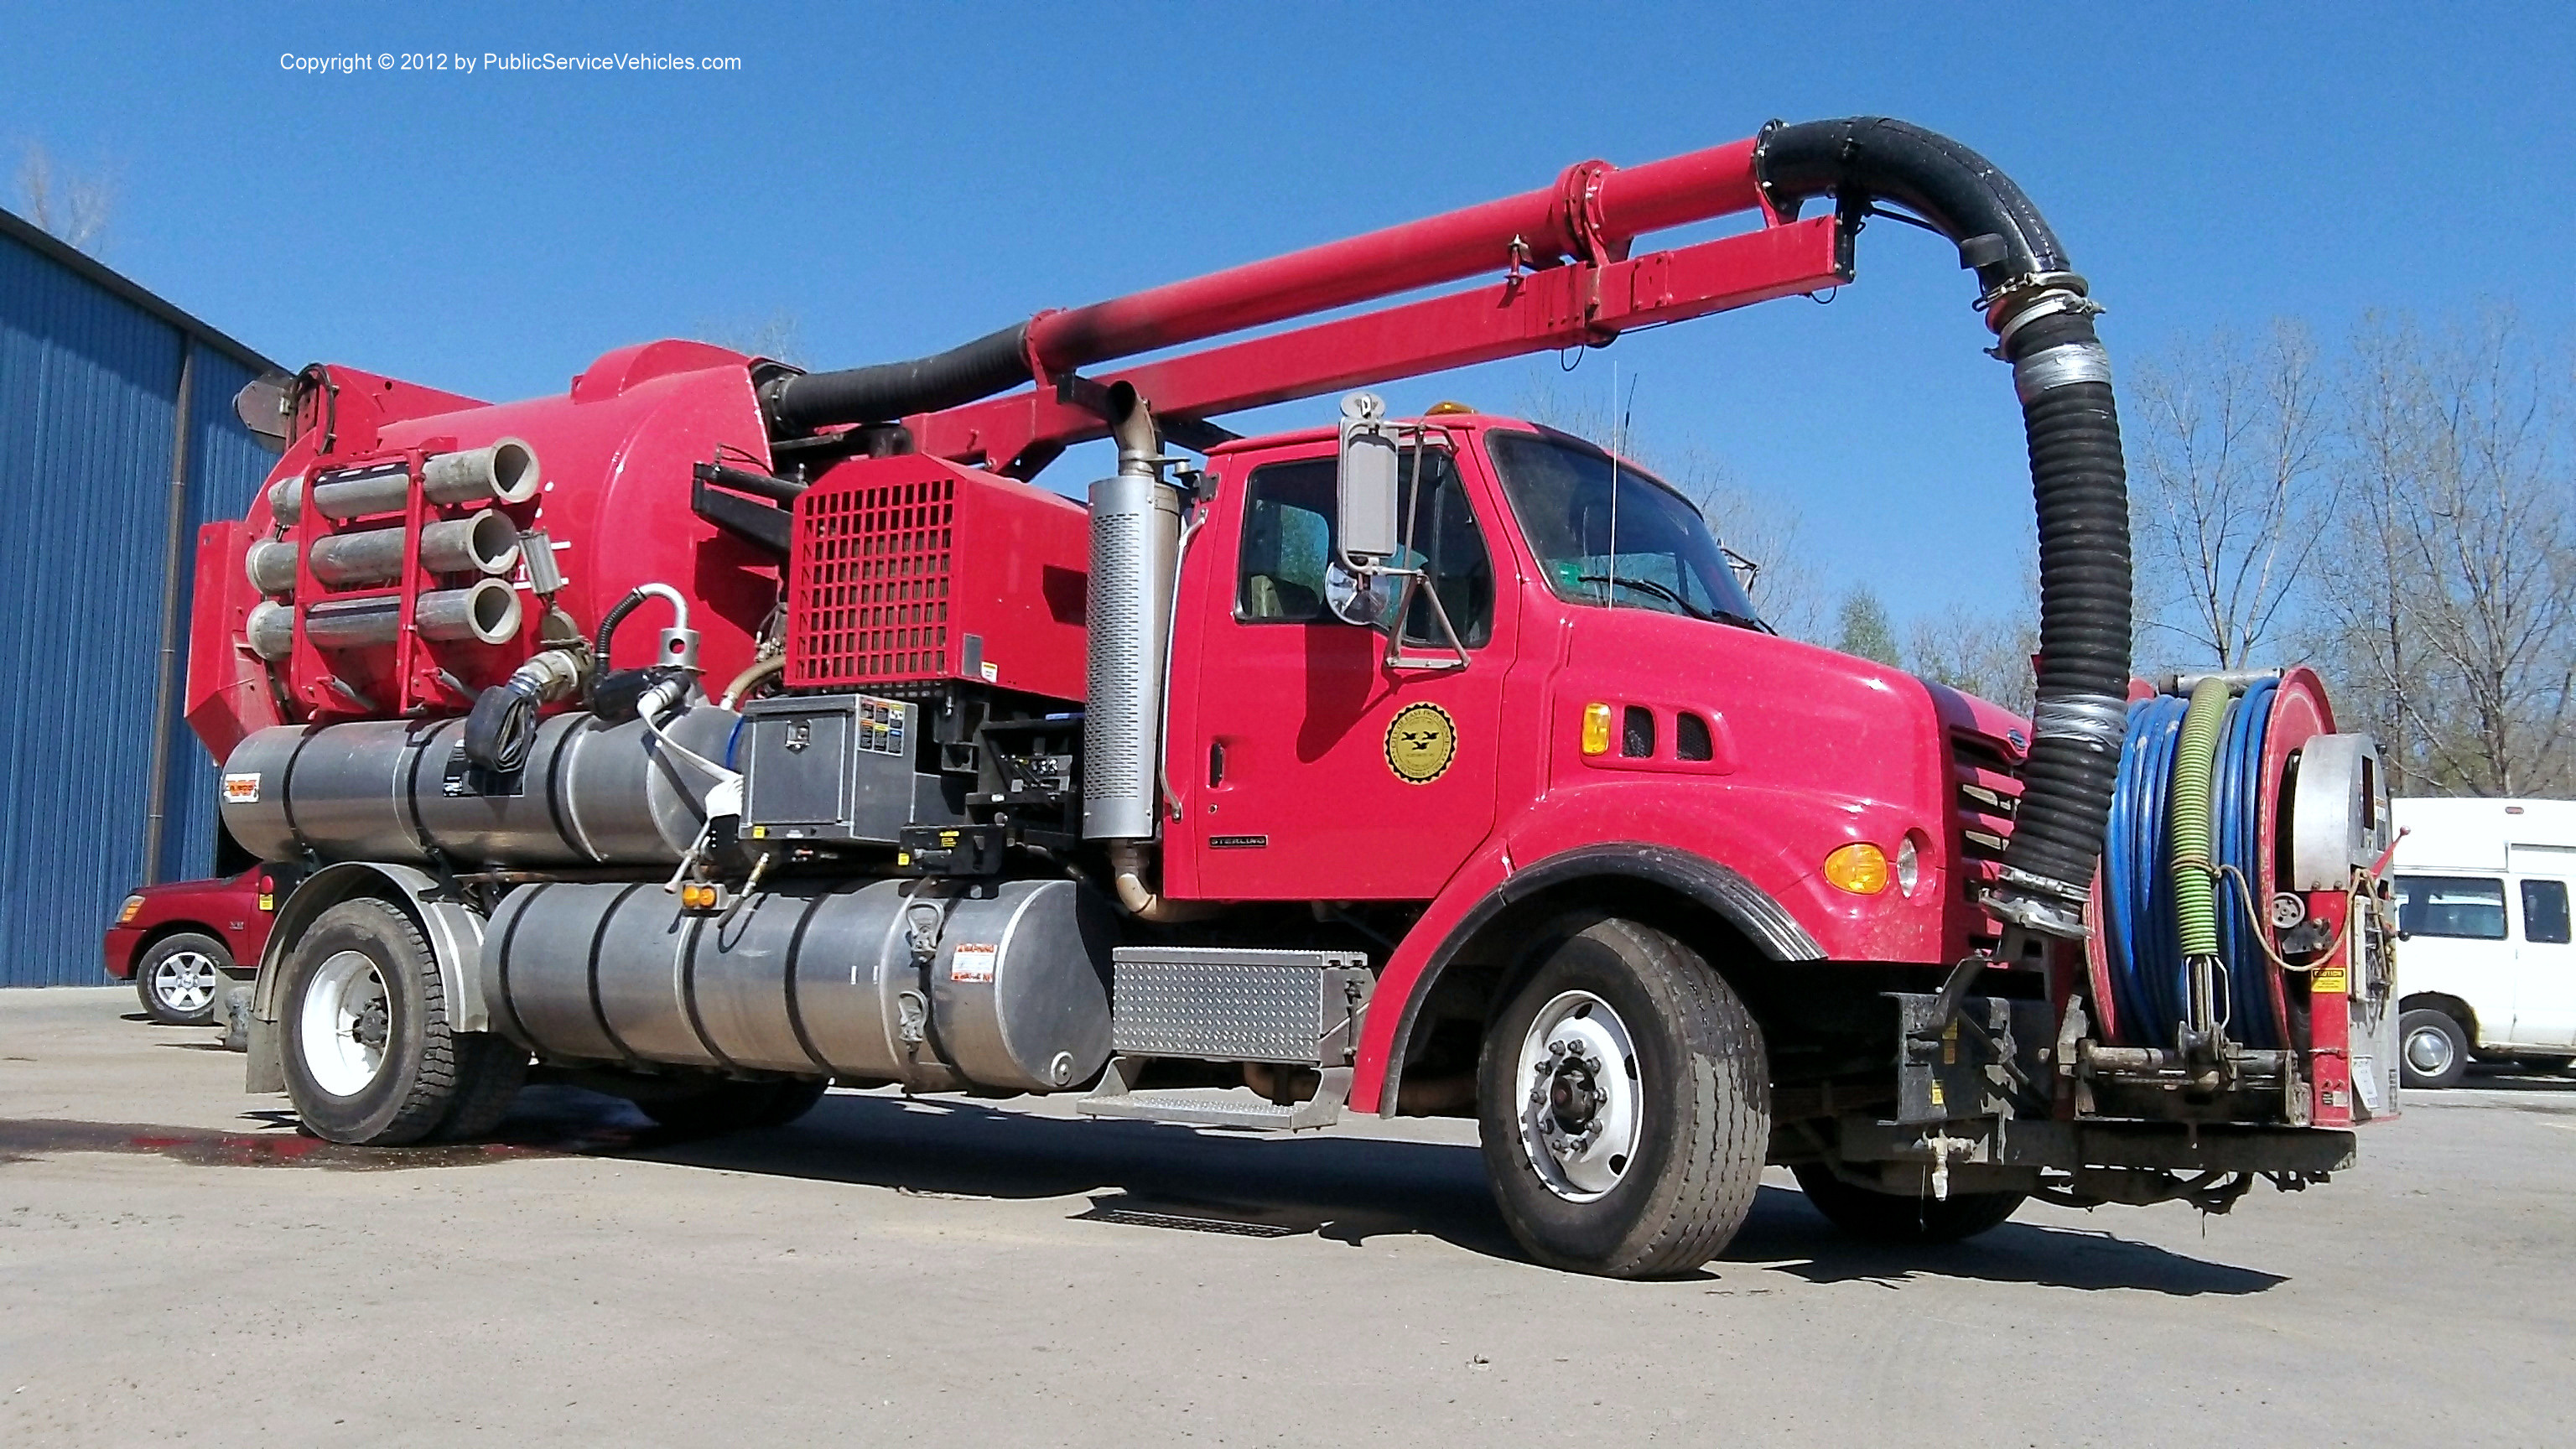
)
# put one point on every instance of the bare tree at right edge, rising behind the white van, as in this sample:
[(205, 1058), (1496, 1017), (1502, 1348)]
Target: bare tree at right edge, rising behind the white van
[(2451, 587)]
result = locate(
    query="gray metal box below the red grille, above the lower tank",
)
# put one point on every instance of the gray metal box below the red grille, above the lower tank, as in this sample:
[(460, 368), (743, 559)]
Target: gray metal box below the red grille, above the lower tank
[(833, 770)]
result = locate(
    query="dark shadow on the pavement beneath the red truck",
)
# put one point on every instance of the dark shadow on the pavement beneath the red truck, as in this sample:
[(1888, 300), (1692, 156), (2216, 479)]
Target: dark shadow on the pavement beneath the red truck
[(1333, 1187)]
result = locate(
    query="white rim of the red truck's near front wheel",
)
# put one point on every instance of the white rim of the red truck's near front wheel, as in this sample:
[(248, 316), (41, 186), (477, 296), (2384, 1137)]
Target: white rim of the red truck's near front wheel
[(1583, 1107)]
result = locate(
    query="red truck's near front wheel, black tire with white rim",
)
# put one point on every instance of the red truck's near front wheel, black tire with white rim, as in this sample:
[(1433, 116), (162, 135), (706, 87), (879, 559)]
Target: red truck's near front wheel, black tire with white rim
[(1624, 1105)]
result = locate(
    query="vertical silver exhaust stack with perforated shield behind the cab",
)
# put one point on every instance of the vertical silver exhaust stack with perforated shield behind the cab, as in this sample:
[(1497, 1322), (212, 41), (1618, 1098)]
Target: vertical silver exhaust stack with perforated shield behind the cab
[(1135, 561)]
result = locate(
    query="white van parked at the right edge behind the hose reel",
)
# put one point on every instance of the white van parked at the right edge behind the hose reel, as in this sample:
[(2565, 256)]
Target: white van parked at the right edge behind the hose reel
[(2487, 963)]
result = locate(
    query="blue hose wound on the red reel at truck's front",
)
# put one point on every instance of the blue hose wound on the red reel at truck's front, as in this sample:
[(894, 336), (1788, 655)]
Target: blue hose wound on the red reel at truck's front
[(2142, 940)]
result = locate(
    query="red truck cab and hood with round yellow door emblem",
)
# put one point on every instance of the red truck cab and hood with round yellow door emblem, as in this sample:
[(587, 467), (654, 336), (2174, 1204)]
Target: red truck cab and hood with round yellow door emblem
[(1578, 666)]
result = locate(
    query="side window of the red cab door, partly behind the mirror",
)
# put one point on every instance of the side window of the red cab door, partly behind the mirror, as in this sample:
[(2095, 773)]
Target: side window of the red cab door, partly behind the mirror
[(1287, 550)]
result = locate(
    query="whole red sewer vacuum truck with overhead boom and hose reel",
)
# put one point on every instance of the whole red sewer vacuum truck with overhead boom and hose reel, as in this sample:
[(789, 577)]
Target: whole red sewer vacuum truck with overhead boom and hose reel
[(723, 731)]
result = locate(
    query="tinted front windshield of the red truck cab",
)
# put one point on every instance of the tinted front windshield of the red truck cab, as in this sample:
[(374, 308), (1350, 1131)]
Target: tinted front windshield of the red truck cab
[(1611, 535)]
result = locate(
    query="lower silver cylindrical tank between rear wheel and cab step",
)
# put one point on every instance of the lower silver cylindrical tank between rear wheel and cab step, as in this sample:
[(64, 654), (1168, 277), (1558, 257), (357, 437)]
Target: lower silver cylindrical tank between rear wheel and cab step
[(885, 981)]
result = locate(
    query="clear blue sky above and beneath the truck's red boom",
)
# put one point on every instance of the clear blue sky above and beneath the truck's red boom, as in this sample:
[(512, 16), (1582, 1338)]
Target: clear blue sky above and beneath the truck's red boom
[(908, 177)]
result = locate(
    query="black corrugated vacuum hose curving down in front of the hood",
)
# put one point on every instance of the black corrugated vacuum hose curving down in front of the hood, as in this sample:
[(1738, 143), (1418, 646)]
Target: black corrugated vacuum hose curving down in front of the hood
[(2044, 321)]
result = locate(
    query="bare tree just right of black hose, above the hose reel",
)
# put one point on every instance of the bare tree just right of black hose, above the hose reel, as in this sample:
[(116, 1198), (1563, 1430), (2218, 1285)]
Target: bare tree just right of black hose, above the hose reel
[(2232, 486)]
